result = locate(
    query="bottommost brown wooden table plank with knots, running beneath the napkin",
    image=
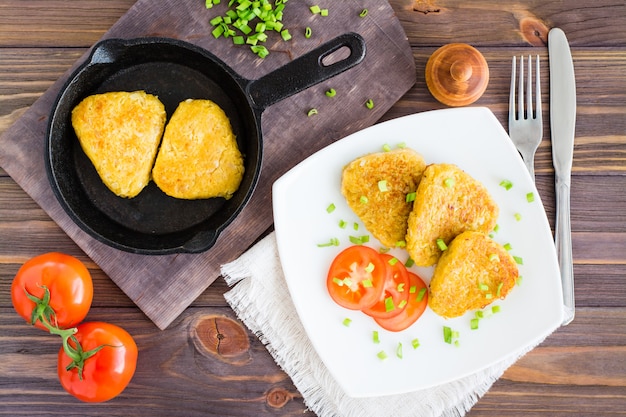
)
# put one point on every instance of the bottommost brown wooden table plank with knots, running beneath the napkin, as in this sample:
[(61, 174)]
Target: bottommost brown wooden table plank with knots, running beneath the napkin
[(573, 372)]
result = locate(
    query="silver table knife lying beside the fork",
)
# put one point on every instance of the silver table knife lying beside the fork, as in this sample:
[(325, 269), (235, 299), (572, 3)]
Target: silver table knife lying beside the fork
[(562, 126)]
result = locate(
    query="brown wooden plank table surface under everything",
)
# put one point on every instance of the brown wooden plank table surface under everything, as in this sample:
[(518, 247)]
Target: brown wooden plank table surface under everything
[(579, 370)]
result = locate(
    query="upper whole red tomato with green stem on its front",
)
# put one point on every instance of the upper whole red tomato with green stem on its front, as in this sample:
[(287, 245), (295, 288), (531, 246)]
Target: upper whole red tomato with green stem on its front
[(68, 282)]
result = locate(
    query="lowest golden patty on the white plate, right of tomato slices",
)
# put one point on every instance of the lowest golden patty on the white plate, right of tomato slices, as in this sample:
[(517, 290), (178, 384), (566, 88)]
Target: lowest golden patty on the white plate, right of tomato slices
[(474, 271)]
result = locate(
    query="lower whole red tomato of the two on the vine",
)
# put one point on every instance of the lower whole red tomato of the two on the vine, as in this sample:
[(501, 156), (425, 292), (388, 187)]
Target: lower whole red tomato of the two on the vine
[(108, 371)]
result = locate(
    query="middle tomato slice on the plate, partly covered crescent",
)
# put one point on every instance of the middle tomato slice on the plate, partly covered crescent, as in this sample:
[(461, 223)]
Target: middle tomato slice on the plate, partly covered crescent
[(395, 293)]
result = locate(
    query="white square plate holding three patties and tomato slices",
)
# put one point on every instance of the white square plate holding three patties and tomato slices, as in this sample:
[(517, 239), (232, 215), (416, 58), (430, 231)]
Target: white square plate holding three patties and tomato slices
[(473, 139)]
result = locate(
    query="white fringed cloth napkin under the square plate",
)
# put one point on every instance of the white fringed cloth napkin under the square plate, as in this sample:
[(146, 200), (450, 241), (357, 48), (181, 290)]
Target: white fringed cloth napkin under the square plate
[(262, 302)]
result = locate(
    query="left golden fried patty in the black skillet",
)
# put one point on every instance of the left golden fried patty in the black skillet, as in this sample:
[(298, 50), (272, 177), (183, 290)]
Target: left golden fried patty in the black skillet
[(120, 133)]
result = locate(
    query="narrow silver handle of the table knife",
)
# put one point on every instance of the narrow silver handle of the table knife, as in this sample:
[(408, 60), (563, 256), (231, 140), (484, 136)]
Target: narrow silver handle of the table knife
[(563, 242)]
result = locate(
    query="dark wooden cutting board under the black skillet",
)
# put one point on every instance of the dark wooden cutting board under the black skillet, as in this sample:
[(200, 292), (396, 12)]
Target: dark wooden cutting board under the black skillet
[(163, 286)]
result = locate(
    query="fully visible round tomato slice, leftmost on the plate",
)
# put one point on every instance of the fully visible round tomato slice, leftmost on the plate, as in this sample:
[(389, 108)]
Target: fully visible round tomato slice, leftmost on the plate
[(356, 277)]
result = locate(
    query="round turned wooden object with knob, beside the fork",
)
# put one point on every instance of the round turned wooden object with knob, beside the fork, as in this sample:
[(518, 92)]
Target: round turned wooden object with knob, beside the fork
[(457, 74)]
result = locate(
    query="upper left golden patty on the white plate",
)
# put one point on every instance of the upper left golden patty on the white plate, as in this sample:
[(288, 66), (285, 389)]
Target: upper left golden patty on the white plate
[(383, 179)]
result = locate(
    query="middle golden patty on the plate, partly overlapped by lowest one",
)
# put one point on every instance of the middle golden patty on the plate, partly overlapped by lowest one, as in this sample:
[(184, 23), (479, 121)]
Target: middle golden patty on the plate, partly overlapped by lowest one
[(448, 202)]
